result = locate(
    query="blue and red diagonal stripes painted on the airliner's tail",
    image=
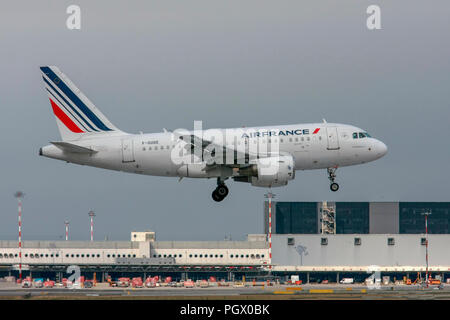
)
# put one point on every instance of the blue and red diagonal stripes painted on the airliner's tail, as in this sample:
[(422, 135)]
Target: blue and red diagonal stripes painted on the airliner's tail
[(68, 107)]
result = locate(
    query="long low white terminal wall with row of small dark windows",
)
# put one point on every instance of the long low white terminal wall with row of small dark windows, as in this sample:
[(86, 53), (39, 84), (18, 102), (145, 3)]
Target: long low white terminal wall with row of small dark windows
[(206, 253)]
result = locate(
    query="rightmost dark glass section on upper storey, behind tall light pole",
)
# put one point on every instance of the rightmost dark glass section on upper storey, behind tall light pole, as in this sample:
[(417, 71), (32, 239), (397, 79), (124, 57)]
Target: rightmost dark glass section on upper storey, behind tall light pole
[(412, 219)]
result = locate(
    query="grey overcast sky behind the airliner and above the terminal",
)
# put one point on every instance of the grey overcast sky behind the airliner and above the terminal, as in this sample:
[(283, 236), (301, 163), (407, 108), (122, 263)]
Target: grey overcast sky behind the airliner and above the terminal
[(154, 64)]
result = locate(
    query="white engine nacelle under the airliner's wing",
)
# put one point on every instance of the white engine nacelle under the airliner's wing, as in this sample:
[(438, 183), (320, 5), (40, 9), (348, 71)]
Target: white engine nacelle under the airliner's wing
[(273, 171)]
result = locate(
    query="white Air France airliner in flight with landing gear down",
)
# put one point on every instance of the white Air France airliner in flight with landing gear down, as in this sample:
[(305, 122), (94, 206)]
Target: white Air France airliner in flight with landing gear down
[(262, 156)]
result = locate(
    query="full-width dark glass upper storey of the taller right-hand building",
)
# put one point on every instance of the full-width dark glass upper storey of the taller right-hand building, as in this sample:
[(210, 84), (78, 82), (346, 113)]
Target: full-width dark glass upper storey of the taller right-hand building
[(354, 217)]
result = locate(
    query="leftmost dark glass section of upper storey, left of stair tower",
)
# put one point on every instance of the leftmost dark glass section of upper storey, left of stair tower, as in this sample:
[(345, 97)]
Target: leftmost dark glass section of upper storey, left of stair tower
[(296, 217)]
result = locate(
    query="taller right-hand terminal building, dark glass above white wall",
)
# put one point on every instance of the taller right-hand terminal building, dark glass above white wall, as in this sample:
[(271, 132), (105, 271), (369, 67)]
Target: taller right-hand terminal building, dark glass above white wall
[(342, 238)]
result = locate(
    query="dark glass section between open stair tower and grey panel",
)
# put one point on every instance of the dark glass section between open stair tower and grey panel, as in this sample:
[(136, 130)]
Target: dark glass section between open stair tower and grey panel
[(352, 217)]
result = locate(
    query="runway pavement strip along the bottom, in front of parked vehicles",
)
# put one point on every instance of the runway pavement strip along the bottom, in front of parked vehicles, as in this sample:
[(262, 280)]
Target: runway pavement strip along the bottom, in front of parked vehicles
[(313, 292)]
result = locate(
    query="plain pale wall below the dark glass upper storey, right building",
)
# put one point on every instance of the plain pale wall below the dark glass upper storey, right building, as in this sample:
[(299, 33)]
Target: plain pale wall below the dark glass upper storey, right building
[(374, 250)]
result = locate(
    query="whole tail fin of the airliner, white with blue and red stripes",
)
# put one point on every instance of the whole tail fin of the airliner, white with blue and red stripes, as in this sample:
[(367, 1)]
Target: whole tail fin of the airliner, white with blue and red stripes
[(76, 116)]
